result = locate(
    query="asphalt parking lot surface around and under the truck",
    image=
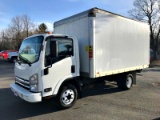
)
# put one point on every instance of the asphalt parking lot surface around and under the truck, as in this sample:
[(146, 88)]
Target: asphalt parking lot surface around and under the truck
[(101, 101)]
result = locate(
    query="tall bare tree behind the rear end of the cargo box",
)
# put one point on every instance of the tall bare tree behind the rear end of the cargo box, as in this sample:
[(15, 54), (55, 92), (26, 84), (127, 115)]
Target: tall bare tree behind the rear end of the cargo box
[(149, 11)]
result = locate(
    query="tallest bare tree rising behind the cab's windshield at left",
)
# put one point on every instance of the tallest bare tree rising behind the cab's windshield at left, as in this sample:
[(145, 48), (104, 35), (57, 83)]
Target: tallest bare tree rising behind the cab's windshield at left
[(20, 28)]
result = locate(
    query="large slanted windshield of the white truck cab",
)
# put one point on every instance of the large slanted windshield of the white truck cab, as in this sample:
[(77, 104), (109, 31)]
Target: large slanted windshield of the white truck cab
[(29, 51)]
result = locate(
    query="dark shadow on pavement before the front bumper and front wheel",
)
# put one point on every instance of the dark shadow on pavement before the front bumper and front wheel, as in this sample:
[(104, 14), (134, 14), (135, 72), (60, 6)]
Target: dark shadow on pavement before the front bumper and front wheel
[(13, 108)]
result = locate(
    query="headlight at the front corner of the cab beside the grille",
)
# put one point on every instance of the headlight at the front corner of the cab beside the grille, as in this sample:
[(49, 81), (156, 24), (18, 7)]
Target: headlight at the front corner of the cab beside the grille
[(34, 83)]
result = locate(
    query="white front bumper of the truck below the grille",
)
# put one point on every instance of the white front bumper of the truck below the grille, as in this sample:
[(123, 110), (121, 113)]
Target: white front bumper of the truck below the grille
[(25, 94)]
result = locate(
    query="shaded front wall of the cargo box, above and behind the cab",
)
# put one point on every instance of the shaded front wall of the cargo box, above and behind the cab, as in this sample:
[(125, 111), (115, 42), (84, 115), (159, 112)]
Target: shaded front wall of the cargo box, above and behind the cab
[(77, 28)]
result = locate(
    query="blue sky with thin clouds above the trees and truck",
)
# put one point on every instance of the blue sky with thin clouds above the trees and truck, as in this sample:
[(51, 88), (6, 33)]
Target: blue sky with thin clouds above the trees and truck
[(49, 11)]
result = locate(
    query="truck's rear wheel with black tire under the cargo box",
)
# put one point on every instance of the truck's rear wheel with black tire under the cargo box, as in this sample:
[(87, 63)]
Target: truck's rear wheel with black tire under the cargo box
[(125, 82)]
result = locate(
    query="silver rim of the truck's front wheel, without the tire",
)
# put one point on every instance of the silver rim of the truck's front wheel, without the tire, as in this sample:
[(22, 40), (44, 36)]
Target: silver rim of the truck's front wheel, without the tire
[(67, 97)]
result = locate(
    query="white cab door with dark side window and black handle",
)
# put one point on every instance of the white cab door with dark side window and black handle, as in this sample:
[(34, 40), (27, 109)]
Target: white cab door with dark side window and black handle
[(59, 63)]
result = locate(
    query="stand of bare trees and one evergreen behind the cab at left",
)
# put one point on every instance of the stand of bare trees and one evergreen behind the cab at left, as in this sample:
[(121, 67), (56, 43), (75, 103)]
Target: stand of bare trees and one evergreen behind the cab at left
[(19, 28)]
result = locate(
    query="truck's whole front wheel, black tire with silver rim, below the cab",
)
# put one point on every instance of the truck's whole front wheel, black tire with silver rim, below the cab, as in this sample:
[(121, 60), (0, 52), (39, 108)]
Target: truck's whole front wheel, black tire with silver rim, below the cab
[(67, 96)]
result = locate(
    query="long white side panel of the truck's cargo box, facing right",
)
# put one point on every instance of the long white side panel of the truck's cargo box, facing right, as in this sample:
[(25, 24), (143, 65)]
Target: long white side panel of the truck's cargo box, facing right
[(120, 43)]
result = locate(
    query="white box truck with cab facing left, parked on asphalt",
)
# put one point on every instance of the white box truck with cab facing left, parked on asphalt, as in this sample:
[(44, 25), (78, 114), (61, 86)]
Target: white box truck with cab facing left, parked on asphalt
[(85, 47)]
